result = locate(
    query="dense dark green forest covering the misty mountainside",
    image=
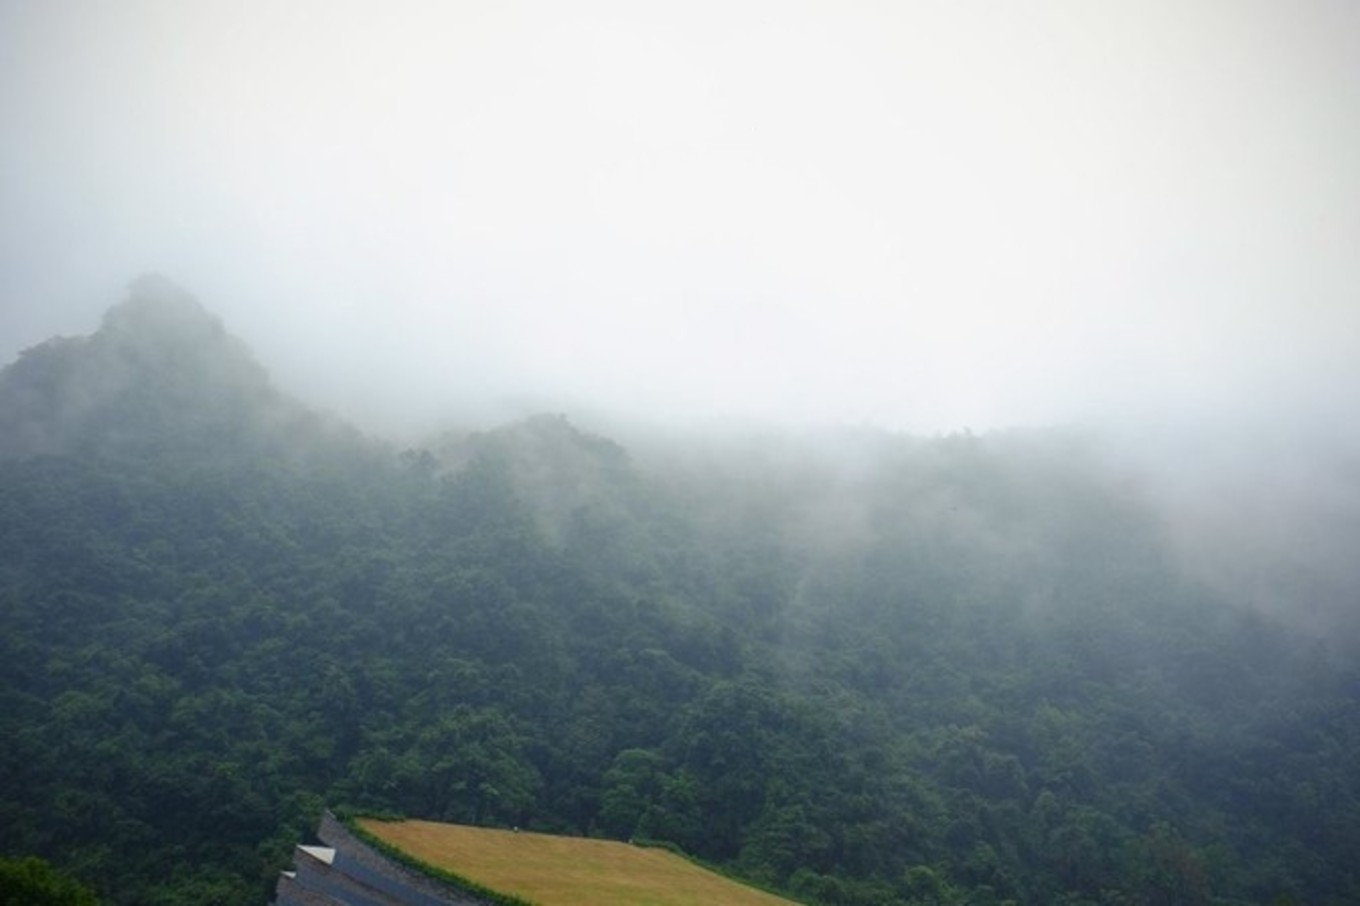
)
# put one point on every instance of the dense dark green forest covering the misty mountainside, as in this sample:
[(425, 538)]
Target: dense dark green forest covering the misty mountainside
[(862, 669)]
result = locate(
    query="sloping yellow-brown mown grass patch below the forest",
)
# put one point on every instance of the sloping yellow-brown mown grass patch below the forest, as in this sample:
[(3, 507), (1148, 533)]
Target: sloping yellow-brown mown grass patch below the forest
[(566, 871)]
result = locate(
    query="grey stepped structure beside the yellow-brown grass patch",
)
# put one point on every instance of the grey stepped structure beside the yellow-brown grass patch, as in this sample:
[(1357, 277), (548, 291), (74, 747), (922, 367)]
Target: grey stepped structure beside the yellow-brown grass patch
[(350, 873)]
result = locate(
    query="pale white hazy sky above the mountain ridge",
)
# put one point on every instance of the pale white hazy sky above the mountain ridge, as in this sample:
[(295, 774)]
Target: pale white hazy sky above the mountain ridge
[(927, 216)]
